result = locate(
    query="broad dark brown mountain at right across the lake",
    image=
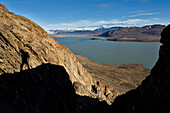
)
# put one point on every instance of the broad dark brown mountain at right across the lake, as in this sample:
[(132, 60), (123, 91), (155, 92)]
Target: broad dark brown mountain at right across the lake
[(145, 33)]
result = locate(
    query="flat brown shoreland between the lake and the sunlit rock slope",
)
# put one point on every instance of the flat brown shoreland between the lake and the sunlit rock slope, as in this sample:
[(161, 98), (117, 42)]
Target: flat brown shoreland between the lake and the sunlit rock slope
[(122, 77)]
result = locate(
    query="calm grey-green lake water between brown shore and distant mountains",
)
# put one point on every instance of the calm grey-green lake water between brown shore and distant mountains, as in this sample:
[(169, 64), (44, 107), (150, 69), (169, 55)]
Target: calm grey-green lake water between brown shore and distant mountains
[(113, 52)]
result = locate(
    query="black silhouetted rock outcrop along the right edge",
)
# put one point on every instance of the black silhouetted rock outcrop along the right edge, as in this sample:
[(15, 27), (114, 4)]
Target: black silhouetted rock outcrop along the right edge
[(153, 95)]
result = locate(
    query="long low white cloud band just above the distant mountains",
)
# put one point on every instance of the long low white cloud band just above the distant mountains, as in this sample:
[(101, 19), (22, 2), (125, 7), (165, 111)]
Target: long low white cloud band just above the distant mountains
[(94, 24)]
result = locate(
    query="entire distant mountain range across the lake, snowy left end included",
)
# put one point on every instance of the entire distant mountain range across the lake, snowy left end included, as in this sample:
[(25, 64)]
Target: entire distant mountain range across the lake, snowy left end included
[(147, 33)]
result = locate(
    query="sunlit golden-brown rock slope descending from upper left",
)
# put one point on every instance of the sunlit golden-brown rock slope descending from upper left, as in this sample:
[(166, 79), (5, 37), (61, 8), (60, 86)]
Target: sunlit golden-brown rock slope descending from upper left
[(25, 45)]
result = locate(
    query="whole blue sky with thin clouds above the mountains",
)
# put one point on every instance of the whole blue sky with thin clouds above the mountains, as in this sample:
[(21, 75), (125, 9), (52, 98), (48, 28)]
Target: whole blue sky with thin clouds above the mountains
[(91, 14)]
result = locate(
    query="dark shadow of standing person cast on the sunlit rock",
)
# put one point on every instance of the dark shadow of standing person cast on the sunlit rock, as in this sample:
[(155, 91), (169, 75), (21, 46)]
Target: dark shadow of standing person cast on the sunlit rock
[(25, 57)]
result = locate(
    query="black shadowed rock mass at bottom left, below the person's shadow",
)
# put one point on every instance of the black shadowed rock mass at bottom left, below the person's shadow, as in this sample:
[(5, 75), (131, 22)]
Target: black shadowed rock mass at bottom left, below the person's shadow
[(44, 89)]
